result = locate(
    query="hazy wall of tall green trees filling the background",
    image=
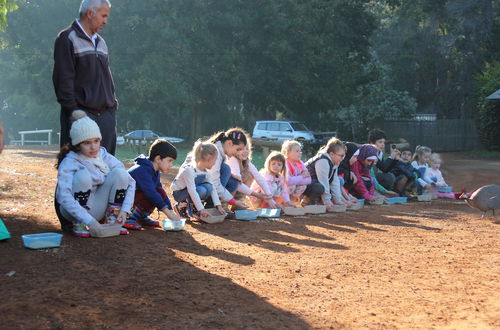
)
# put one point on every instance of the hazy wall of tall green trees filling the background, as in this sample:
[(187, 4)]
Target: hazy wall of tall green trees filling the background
[(190, 67)]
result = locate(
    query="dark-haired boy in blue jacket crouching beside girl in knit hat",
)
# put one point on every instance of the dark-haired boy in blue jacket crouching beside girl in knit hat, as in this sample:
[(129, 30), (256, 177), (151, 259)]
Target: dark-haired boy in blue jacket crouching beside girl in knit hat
[(149, 192)]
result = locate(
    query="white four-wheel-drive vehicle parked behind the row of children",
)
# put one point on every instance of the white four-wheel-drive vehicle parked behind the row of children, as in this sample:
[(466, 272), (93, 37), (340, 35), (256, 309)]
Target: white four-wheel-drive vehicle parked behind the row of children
[(281, 130)]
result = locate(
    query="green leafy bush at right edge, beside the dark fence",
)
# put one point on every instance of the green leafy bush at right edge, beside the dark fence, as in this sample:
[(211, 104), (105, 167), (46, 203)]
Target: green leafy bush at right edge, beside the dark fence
[(488, 112)]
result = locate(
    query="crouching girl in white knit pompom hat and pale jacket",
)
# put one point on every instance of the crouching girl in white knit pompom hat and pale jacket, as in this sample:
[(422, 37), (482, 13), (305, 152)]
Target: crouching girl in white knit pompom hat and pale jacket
[(93, 186)]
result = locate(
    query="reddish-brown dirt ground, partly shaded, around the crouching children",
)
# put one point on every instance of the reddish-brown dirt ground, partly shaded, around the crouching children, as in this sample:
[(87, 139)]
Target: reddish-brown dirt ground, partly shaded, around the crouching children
[(422, 265)]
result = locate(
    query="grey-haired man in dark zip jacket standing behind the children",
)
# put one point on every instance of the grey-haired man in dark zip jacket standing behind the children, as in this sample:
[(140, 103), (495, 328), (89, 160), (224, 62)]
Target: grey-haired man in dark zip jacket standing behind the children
[(82, 78)]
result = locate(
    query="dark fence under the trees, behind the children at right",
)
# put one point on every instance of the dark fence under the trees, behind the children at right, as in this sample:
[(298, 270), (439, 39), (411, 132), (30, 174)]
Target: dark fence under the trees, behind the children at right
[(440, 135)]
